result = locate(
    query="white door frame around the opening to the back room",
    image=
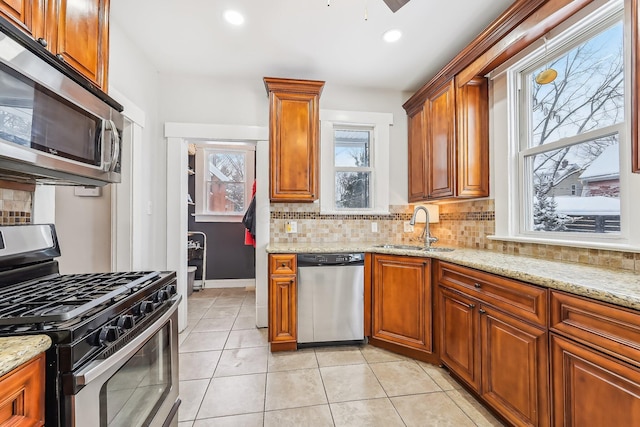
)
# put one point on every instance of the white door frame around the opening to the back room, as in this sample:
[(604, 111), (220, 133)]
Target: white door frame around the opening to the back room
[(178, 137)]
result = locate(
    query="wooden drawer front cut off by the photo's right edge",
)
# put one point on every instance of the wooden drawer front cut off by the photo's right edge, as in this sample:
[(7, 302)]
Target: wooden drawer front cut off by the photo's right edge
[(614, 330)]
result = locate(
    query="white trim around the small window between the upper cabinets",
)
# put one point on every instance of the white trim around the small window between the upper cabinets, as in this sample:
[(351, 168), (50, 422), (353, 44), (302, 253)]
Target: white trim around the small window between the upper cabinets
[(380, 123)]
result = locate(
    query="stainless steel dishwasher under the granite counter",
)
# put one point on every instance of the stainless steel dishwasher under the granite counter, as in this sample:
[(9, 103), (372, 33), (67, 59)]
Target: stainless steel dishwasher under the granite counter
[(330, 298)]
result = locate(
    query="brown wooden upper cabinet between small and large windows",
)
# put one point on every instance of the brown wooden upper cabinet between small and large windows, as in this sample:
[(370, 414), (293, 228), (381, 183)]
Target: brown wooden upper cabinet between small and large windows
[(449, 142)]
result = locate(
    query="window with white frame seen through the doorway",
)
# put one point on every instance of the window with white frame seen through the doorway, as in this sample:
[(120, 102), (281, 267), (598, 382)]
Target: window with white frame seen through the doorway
[(224, 176)]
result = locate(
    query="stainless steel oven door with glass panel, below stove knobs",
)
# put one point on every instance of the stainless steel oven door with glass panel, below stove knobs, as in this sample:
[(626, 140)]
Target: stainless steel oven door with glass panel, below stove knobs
[(136, 386)]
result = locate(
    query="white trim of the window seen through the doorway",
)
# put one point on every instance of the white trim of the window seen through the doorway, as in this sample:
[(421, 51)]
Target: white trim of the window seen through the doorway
[(201, 213)]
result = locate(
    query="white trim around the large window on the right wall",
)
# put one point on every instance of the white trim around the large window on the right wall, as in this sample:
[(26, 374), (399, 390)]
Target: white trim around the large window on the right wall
[(505, 144)]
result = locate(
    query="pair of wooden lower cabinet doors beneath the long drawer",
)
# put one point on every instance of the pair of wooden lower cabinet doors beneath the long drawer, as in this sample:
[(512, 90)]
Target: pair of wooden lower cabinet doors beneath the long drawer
[(502, 358)]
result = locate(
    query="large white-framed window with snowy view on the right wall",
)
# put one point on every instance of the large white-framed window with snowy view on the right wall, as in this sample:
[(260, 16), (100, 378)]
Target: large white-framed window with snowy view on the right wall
[(565, 137)]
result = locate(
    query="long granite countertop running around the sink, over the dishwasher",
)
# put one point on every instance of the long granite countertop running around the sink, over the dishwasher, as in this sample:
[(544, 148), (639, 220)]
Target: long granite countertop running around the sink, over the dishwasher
[(620, 287)]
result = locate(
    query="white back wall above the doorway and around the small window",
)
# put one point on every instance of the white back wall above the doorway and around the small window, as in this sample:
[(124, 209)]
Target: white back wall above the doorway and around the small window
[(201, 99)]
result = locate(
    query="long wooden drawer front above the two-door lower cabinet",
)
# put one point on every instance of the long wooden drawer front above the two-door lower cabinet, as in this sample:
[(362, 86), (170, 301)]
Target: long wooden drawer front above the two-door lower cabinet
[(520, 299)]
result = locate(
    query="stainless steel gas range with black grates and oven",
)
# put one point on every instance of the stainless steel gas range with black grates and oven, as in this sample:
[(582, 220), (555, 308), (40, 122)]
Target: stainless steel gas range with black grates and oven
[(114, 358)]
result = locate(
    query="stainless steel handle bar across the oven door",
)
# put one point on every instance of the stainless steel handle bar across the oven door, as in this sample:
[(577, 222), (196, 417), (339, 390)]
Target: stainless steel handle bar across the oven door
[(95, 369)]
